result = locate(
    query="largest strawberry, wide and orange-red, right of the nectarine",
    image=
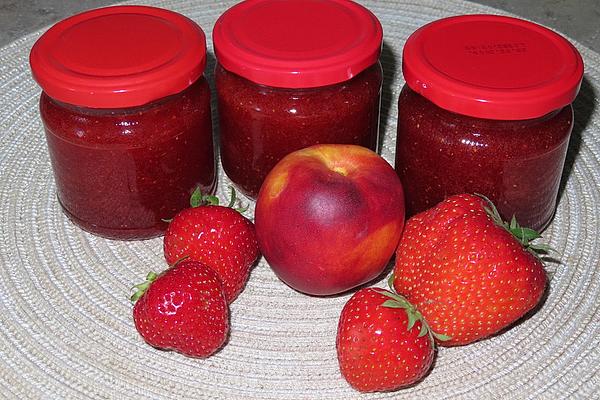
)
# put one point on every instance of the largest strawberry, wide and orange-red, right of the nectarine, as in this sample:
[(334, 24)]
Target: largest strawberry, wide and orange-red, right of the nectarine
[(469, 273)]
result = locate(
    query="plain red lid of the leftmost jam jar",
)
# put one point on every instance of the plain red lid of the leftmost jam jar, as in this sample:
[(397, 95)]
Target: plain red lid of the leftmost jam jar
[(118, 57)]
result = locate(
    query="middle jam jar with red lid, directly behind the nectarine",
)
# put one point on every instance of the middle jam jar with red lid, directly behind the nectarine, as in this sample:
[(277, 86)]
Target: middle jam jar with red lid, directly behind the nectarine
[(291, 74)]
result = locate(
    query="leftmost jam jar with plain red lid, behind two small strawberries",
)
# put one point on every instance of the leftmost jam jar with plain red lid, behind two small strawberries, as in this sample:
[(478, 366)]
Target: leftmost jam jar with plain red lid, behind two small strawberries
[(126, 112)]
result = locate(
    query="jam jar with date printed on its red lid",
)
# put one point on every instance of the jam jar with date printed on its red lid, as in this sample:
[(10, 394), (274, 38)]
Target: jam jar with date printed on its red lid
[(486, 109)]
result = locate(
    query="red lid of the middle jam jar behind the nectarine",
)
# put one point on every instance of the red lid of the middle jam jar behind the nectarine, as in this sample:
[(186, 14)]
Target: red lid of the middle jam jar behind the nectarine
[(297, 43)]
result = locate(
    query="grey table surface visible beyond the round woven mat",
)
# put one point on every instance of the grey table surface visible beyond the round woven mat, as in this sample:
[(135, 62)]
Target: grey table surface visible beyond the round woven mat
[(576, 19)]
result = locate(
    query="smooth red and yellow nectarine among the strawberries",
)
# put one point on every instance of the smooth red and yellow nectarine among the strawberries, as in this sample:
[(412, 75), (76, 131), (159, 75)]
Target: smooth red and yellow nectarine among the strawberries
[(329, 217)]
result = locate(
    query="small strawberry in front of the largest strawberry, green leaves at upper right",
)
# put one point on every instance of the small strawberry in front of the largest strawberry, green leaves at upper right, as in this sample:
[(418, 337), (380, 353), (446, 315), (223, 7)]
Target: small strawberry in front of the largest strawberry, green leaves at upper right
[(382, 342)]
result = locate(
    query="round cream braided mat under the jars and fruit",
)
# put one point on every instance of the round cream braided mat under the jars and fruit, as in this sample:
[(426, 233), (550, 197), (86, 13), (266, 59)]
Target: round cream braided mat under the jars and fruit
[(65, 320)]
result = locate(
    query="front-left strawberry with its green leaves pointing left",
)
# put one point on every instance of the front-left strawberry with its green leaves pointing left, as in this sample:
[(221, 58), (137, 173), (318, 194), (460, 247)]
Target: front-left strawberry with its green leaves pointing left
[(182, 309)]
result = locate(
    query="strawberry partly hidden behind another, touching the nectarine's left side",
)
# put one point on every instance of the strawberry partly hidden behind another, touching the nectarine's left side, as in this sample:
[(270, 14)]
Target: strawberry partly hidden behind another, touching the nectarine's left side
[(218, 236)]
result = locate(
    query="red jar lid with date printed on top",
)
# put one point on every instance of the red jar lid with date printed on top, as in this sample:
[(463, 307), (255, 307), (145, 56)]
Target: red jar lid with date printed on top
[(492, 67)]
